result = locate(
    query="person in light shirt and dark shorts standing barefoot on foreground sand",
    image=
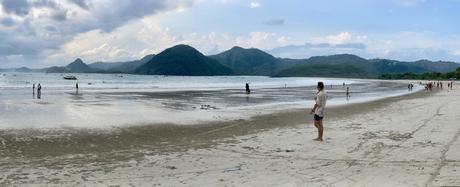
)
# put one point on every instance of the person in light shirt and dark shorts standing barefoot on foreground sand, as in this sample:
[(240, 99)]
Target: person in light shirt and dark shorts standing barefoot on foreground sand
[(318, 110)]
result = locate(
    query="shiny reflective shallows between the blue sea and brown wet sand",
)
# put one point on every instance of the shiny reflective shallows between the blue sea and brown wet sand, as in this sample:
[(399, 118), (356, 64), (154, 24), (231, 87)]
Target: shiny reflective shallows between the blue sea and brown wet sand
[(105, 110)]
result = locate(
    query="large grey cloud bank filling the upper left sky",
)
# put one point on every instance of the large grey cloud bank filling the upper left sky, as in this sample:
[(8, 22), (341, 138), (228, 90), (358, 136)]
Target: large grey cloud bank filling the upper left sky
[(33, 36)]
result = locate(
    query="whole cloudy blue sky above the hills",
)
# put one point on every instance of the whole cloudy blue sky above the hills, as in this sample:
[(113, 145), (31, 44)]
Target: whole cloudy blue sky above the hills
[(42, 33)]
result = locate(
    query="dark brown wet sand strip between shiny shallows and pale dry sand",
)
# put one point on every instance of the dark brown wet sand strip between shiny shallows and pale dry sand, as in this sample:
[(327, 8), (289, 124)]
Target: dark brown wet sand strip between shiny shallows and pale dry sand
[(169, 137)]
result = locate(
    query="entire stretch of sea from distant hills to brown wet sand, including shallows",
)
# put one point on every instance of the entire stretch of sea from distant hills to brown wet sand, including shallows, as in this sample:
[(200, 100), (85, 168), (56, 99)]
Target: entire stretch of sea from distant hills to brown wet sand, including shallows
[(114, 100)]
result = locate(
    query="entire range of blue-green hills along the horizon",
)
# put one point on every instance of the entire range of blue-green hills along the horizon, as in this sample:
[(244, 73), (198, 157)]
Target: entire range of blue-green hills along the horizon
[(185, 60)]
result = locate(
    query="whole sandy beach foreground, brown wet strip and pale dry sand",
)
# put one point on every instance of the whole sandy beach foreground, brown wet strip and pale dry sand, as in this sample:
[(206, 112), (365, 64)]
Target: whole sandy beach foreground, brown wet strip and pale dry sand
[(410, 140)]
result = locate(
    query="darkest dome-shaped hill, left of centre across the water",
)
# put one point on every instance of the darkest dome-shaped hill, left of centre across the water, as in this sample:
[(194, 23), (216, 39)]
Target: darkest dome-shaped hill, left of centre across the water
[(183, 60)]
